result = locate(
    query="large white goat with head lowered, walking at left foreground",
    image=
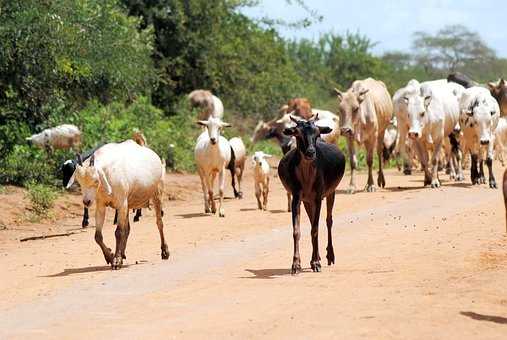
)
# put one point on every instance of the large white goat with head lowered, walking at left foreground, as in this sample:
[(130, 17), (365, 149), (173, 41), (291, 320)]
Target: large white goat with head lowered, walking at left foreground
[(123, 176)]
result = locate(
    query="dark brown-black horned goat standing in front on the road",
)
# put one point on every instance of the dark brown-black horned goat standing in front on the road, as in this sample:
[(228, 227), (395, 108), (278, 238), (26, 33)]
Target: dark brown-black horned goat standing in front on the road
[(311, 172)]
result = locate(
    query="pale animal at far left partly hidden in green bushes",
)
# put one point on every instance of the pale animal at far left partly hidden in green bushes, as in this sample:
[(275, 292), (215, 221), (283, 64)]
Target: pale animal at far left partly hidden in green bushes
[(60, 137)]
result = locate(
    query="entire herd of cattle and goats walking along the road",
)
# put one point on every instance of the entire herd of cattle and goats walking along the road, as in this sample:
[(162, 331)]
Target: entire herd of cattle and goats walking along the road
[(452, 122)]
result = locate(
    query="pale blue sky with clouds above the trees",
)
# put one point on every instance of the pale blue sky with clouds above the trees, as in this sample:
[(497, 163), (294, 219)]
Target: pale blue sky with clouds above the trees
[(391, 23)]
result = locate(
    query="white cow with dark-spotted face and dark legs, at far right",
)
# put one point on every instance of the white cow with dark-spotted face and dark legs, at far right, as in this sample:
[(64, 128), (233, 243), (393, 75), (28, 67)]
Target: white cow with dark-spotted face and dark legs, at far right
[(479, 116)]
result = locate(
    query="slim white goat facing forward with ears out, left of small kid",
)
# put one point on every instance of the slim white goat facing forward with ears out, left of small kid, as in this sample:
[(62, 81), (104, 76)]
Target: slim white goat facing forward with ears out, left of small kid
[(212, 154)]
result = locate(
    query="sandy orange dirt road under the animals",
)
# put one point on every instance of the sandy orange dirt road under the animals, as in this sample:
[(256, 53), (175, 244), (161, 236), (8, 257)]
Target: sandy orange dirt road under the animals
[(412, 263)]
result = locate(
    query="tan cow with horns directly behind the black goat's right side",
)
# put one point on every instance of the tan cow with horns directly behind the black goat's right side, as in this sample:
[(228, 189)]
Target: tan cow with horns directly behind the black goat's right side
[(365, 111)]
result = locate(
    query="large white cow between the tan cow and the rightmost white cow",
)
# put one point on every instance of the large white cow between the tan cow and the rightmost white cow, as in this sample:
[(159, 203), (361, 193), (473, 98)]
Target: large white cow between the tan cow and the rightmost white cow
[(430, 113)]
